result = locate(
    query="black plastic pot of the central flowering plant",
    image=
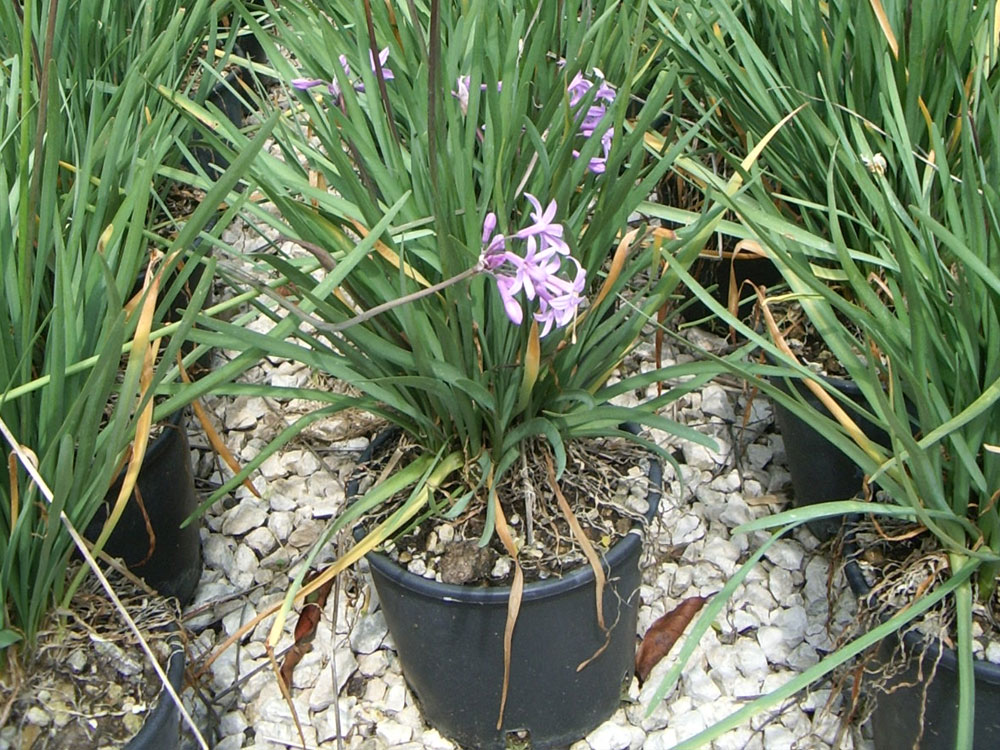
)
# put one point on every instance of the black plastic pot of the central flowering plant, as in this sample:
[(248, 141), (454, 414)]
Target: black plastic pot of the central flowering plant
[(450, 644)]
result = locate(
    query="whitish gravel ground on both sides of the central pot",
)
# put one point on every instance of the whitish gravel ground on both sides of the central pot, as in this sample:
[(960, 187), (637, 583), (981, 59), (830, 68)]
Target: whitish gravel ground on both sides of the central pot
[(349, 685)]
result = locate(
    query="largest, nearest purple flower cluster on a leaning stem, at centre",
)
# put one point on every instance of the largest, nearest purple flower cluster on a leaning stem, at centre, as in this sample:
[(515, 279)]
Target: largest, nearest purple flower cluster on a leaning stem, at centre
[(537, 271)]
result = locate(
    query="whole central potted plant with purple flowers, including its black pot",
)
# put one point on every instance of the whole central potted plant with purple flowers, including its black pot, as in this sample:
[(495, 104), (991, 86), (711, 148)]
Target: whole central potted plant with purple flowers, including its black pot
[(470, 272)]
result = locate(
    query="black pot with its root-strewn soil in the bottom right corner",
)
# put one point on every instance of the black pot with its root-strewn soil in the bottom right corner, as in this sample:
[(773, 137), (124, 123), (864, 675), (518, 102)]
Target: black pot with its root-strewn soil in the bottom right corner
[(912, 678)]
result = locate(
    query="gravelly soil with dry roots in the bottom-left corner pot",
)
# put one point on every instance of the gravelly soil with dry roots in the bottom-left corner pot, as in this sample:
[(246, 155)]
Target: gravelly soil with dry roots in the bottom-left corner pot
[(88, 684)]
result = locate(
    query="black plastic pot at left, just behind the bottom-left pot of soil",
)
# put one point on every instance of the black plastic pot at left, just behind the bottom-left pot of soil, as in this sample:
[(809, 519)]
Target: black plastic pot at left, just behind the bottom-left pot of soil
[(166, 485)]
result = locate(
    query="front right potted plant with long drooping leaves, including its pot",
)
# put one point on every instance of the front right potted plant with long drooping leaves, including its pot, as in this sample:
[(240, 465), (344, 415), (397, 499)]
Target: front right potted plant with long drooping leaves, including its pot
[(913, 322)]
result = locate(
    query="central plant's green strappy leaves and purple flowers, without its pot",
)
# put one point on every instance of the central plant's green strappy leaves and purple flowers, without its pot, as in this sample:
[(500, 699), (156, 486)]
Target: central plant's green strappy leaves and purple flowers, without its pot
[(472, 274)]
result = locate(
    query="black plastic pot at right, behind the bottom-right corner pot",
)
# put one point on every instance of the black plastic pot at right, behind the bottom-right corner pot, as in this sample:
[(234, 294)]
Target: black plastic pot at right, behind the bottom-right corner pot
[(820, 471)]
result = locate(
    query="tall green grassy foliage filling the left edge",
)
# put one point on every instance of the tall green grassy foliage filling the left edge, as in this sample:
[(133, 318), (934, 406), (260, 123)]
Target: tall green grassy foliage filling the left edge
[(89, 144)]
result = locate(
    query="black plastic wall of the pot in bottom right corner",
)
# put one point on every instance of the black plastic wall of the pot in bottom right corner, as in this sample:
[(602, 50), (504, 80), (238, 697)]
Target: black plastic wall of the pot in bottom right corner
[(926, 688)]
